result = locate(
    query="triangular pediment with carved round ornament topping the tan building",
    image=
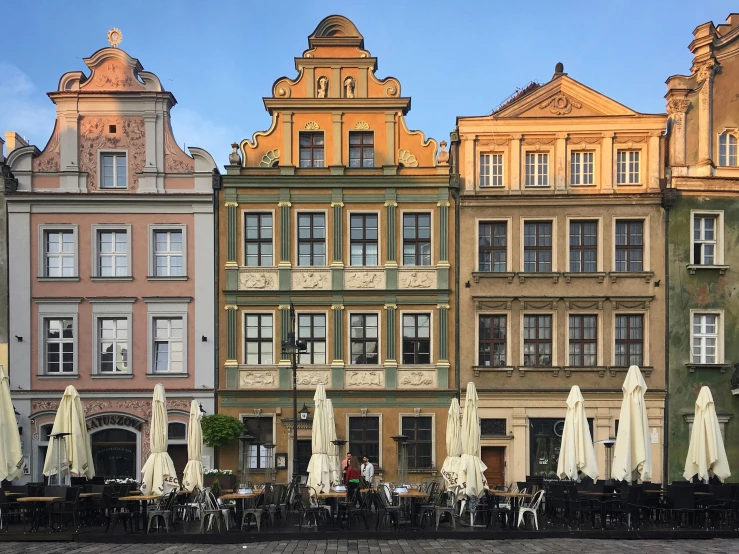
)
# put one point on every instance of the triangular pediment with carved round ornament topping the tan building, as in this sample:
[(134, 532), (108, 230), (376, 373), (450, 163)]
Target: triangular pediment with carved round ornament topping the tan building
[(563, 97)]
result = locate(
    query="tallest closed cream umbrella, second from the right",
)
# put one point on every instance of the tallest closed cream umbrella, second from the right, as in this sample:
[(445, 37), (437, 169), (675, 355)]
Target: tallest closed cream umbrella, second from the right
[(632, 457)]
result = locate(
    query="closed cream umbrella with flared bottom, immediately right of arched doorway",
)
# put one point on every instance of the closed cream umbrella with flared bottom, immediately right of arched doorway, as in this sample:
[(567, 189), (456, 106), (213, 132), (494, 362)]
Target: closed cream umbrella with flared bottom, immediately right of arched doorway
[(158, 476)]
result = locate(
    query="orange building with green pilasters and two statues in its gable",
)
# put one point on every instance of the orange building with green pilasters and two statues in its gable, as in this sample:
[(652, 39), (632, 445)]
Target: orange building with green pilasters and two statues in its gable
[(341, 211)]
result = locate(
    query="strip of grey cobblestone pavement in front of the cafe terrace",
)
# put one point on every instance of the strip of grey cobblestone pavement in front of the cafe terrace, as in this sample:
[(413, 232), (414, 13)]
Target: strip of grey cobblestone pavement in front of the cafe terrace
[(445, 546)]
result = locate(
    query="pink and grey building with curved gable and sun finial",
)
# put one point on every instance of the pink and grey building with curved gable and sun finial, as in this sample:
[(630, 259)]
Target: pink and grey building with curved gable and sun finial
[(111, 267)]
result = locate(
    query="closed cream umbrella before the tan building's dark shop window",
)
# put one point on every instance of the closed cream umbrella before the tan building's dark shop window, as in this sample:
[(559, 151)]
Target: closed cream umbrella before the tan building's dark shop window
[(576, 454)]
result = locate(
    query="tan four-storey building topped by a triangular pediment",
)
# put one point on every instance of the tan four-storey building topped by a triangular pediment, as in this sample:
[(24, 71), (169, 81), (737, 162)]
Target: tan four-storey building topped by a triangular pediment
[(561, 248)]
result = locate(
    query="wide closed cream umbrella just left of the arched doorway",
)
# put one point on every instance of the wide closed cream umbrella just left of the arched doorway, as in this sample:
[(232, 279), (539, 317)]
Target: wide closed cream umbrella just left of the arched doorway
[(70, 418)]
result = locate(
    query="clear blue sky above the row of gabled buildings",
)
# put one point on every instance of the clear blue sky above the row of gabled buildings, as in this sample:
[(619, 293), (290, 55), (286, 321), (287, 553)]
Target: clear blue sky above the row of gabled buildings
[(220, 58)]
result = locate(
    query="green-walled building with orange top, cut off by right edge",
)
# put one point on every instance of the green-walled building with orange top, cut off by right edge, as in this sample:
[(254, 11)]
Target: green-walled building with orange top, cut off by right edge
[(703, 224)]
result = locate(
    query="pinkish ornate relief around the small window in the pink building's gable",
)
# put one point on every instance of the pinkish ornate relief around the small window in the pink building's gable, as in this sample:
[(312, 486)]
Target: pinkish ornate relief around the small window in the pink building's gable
[(95, 136)]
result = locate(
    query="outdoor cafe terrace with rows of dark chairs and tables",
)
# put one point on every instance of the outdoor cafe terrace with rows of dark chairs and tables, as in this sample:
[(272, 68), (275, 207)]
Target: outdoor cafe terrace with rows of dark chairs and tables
[(90, 512)]
